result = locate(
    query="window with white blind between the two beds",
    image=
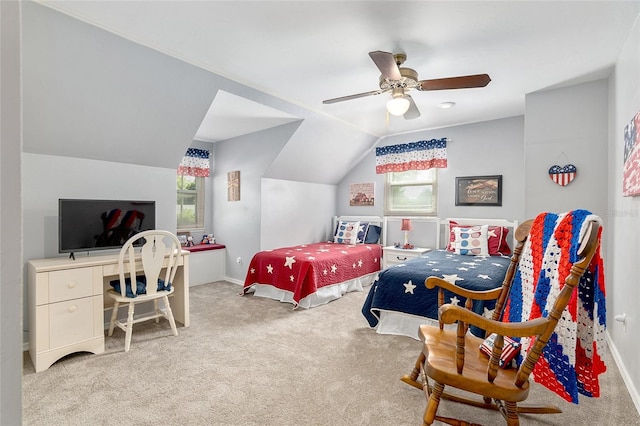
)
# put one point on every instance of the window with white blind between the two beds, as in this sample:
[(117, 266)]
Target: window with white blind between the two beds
[(411, 193)]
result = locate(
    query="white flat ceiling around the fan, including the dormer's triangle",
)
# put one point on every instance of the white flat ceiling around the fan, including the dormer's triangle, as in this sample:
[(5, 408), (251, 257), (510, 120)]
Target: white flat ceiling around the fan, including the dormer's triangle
[(307, 51)]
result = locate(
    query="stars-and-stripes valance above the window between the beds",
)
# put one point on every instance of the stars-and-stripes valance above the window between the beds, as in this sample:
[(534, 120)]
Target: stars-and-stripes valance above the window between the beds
[(420, 155)]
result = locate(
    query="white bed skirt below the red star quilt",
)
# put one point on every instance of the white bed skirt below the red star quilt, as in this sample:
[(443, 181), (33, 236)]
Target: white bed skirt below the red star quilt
[(322, 296)]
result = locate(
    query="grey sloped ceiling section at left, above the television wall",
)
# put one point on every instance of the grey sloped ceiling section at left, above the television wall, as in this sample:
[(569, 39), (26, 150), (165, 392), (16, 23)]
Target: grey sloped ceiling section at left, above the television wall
[(90, 94)]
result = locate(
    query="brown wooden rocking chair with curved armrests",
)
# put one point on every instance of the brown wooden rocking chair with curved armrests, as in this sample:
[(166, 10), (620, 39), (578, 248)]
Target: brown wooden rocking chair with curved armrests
[(452, 357)]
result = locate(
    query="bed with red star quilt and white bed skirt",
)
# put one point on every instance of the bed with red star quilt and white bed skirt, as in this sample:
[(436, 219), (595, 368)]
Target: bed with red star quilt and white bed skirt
[(310, 275)]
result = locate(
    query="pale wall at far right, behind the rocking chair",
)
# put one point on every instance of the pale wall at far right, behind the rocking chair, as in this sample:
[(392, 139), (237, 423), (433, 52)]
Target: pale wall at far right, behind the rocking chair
[(623, 213)]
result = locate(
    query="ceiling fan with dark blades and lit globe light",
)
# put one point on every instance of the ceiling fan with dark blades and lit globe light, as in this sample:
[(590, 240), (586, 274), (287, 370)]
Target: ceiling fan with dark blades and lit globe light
[(399, 80)]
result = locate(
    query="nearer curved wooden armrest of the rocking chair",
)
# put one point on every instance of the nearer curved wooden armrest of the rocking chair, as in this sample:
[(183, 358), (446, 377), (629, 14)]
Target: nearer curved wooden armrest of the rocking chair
[(451, 313)]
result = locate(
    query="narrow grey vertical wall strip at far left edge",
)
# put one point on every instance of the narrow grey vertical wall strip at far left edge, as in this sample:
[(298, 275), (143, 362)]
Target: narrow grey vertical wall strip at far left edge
[(10, 216)]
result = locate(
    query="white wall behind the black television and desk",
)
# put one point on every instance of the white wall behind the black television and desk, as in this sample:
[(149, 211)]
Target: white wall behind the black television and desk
[(47, 178)]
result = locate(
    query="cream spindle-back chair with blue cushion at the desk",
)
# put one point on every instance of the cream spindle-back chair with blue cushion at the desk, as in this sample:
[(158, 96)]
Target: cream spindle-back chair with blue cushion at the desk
[(140, 282)]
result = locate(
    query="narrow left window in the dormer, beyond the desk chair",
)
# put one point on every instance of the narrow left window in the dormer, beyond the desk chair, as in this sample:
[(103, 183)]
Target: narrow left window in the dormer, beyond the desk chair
[(190, 206)]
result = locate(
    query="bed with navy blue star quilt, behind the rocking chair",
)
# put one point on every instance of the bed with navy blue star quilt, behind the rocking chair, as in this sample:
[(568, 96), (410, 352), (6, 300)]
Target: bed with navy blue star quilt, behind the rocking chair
[(475, 255)]
